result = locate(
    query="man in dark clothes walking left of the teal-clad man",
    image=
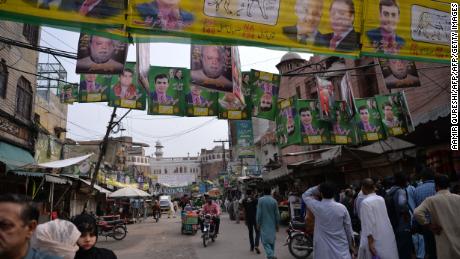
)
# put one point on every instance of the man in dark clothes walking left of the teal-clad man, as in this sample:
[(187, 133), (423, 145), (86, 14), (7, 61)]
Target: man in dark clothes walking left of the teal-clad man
[(250, 212)]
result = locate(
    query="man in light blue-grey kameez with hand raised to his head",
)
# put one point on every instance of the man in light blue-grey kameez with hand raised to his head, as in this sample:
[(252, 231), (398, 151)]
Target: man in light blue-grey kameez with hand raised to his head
[(333, 235)]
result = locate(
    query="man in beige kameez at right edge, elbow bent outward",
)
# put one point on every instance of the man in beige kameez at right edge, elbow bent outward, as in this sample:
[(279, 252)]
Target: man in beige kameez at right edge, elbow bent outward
[(443, 210)]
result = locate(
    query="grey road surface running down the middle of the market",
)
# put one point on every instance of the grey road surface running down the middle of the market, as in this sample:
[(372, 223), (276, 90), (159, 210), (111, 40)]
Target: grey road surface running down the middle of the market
[(164, 240)]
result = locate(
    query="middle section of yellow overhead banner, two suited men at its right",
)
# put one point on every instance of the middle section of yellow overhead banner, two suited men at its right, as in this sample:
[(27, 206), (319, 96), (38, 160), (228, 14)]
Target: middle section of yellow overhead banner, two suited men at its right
[(307, 25)]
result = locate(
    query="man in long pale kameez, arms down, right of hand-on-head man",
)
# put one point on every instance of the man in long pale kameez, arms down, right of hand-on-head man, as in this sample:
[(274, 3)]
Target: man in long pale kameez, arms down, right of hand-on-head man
[(377, 236)]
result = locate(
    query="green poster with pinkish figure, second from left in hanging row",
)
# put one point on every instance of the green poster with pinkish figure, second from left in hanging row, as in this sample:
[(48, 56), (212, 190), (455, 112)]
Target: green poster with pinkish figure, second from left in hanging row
[(126, 92)]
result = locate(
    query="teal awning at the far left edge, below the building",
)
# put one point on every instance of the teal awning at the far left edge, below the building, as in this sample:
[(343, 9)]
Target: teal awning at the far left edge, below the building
[(14, 157)]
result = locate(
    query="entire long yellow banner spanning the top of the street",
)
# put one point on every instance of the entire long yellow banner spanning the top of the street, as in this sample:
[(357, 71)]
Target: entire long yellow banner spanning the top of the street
[(409, 29)]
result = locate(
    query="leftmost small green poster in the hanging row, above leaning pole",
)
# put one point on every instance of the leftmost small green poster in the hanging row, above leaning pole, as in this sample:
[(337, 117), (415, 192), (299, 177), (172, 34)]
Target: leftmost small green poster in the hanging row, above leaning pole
[(94, 88)]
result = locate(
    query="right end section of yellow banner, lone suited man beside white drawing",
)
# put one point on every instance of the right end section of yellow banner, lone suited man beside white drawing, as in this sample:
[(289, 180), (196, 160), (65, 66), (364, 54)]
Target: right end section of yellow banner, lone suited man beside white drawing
[(419, 29)]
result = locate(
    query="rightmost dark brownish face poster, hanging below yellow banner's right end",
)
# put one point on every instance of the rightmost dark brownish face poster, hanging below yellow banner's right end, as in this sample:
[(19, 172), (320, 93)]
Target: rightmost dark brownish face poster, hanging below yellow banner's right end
[(399, 73)]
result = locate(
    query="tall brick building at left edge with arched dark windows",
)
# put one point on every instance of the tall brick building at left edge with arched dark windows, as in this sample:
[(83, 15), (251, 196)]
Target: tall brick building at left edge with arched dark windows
[(18, 67)]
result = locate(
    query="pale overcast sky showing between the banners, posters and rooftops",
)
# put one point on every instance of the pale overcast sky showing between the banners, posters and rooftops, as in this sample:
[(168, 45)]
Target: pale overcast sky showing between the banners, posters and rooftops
[(180, 136)]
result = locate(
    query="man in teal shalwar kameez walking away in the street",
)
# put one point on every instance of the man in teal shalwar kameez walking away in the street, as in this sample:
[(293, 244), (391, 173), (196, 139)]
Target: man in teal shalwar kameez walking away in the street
[(267, 219)]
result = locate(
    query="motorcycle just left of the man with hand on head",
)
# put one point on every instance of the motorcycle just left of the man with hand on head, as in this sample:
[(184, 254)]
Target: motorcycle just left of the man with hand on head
[(299, 242)]
